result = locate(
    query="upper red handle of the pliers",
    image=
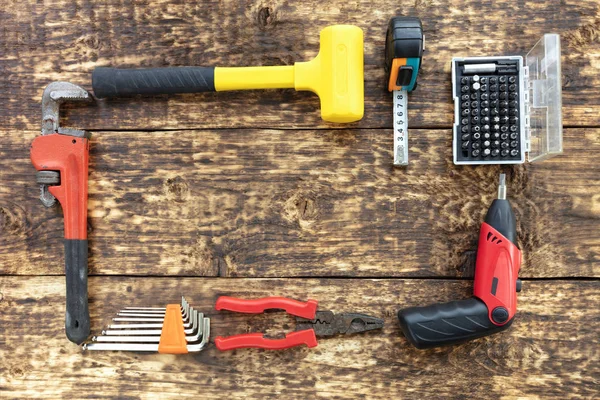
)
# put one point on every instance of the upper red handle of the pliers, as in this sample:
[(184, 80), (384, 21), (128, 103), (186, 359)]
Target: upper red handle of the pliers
[(306, 310)]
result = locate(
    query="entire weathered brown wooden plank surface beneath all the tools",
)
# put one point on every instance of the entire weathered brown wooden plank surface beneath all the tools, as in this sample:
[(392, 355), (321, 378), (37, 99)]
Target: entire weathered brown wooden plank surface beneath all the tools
[(204, 195)]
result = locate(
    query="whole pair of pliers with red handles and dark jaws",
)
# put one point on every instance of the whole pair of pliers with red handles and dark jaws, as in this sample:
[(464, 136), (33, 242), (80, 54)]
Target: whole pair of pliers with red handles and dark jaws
[(310, 323)]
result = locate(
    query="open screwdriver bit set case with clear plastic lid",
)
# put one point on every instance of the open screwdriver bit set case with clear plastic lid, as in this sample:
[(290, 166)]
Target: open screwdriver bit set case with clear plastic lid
[(508, 109)]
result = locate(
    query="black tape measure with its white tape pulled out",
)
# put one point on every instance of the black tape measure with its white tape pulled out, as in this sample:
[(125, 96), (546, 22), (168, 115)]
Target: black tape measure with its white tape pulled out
[(404, 46)]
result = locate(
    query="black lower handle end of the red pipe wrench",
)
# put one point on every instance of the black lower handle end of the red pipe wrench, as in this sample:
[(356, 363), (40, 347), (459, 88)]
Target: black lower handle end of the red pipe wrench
[(77, 322)]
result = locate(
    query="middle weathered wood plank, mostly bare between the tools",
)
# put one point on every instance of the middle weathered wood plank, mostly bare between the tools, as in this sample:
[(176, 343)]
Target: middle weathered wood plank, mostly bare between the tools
[(312, 203)]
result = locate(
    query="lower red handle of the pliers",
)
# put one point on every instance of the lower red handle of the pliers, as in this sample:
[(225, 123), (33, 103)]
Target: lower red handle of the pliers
[(257, 340)]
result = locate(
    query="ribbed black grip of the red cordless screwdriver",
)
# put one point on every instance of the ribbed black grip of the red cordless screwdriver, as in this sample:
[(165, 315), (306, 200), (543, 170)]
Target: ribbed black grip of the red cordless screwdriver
[(447, 323)]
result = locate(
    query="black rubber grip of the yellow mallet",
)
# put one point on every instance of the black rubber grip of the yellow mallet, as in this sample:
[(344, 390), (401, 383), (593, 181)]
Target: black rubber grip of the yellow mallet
[(115, 82)]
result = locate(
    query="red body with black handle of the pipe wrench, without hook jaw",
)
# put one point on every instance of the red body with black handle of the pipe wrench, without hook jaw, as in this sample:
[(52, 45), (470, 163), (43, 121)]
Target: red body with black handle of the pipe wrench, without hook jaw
[(69, 156)]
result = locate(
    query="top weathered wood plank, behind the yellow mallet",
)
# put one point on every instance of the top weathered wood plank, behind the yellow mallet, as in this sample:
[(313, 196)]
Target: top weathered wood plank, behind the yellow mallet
[(66, 41)]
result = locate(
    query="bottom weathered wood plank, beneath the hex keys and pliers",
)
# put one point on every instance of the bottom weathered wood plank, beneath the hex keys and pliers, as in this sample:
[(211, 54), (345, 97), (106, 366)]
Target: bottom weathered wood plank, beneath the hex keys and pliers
[(551, 350)]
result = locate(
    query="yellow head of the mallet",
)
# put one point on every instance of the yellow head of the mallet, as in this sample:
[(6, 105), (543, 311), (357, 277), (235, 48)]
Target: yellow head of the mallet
[(336, 74)]
